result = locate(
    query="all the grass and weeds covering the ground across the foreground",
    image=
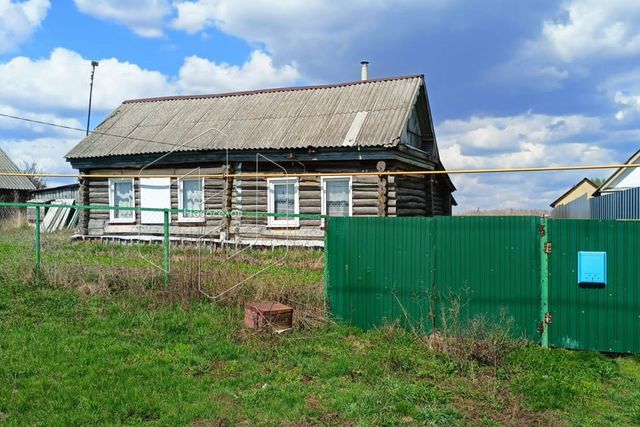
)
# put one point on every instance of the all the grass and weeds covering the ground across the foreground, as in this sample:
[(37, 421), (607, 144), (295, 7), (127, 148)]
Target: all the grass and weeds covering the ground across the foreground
[(106, 349)]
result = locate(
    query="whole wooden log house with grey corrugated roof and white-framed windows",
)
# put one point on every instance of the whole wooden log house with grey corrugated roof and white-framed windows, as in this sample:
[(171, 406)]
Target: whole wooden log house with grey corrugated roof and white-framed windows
[(325, 132)]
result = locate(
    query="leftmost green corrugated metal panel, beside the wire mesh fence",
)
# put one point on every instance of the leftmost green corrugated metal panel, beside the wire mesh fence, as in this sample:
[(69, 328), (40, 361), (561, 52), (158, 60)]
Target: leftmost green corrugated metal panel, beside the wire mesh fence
[(378, 270)]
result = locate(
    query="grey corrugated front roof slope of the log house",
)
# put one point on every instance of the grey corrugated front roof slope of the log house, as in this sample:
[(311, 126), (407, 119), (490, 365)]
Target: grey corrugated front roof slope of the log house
[(371, 113)]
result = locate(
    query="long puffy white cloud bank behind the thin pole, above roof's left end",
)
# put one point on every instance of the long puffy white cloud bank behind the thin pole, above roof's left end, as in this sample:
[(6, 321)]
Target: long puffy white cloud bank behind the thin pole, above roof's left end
[(61, 82)]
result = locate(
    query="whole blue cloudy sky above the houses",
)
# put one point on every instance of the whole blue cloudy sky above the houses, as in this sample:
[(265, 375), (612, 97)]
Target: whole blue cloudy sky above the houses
[(511, 84)]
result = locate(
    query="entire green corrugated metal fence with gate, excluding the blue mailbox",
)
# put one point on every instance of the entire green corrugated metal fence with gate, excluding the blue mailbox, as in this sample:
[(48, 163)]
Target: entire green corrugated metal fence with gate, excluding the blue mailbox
[(415, 270)]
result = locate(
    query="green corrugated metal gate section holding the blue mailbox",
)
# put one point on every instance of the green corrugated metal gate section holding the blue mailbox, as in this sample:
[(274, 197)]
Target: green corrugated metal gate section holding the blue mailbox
[(603, 319)]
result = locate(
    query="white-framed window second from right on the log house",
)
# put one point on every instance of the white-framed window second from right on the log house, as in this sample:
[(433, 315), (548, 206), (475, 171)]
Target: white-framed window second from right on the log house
[(283, 199)]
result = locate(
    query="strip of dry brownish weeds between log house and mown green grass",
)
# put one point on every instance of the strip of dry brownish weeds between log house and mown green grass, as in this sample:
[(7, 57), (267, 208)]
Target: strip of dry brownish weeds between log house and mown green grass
[(196, 273)]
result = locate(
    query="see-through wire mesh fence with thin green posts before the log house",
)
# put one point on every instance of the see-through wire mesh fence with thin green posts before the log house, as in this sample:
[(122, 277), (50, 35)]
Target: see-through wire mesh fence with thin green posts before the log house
[(174, 256)]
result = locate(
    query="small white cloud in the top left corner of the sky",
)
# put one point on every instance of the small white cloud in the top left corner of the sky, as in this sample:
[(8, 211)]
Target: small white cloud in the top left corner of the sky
[(18, 20)]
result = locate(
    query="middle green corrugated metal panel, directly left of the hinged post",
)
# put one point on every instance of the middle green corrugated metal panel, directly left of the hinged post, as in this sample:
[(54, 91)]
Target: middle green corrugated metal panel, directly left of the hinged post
[(493, 265)]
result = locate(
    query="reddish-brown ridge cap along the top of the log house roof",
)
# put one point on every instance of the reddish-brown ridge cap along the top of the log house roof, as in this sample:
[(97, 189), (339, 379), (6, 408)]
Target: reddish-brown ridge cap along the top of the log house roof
[(270, 90)]
